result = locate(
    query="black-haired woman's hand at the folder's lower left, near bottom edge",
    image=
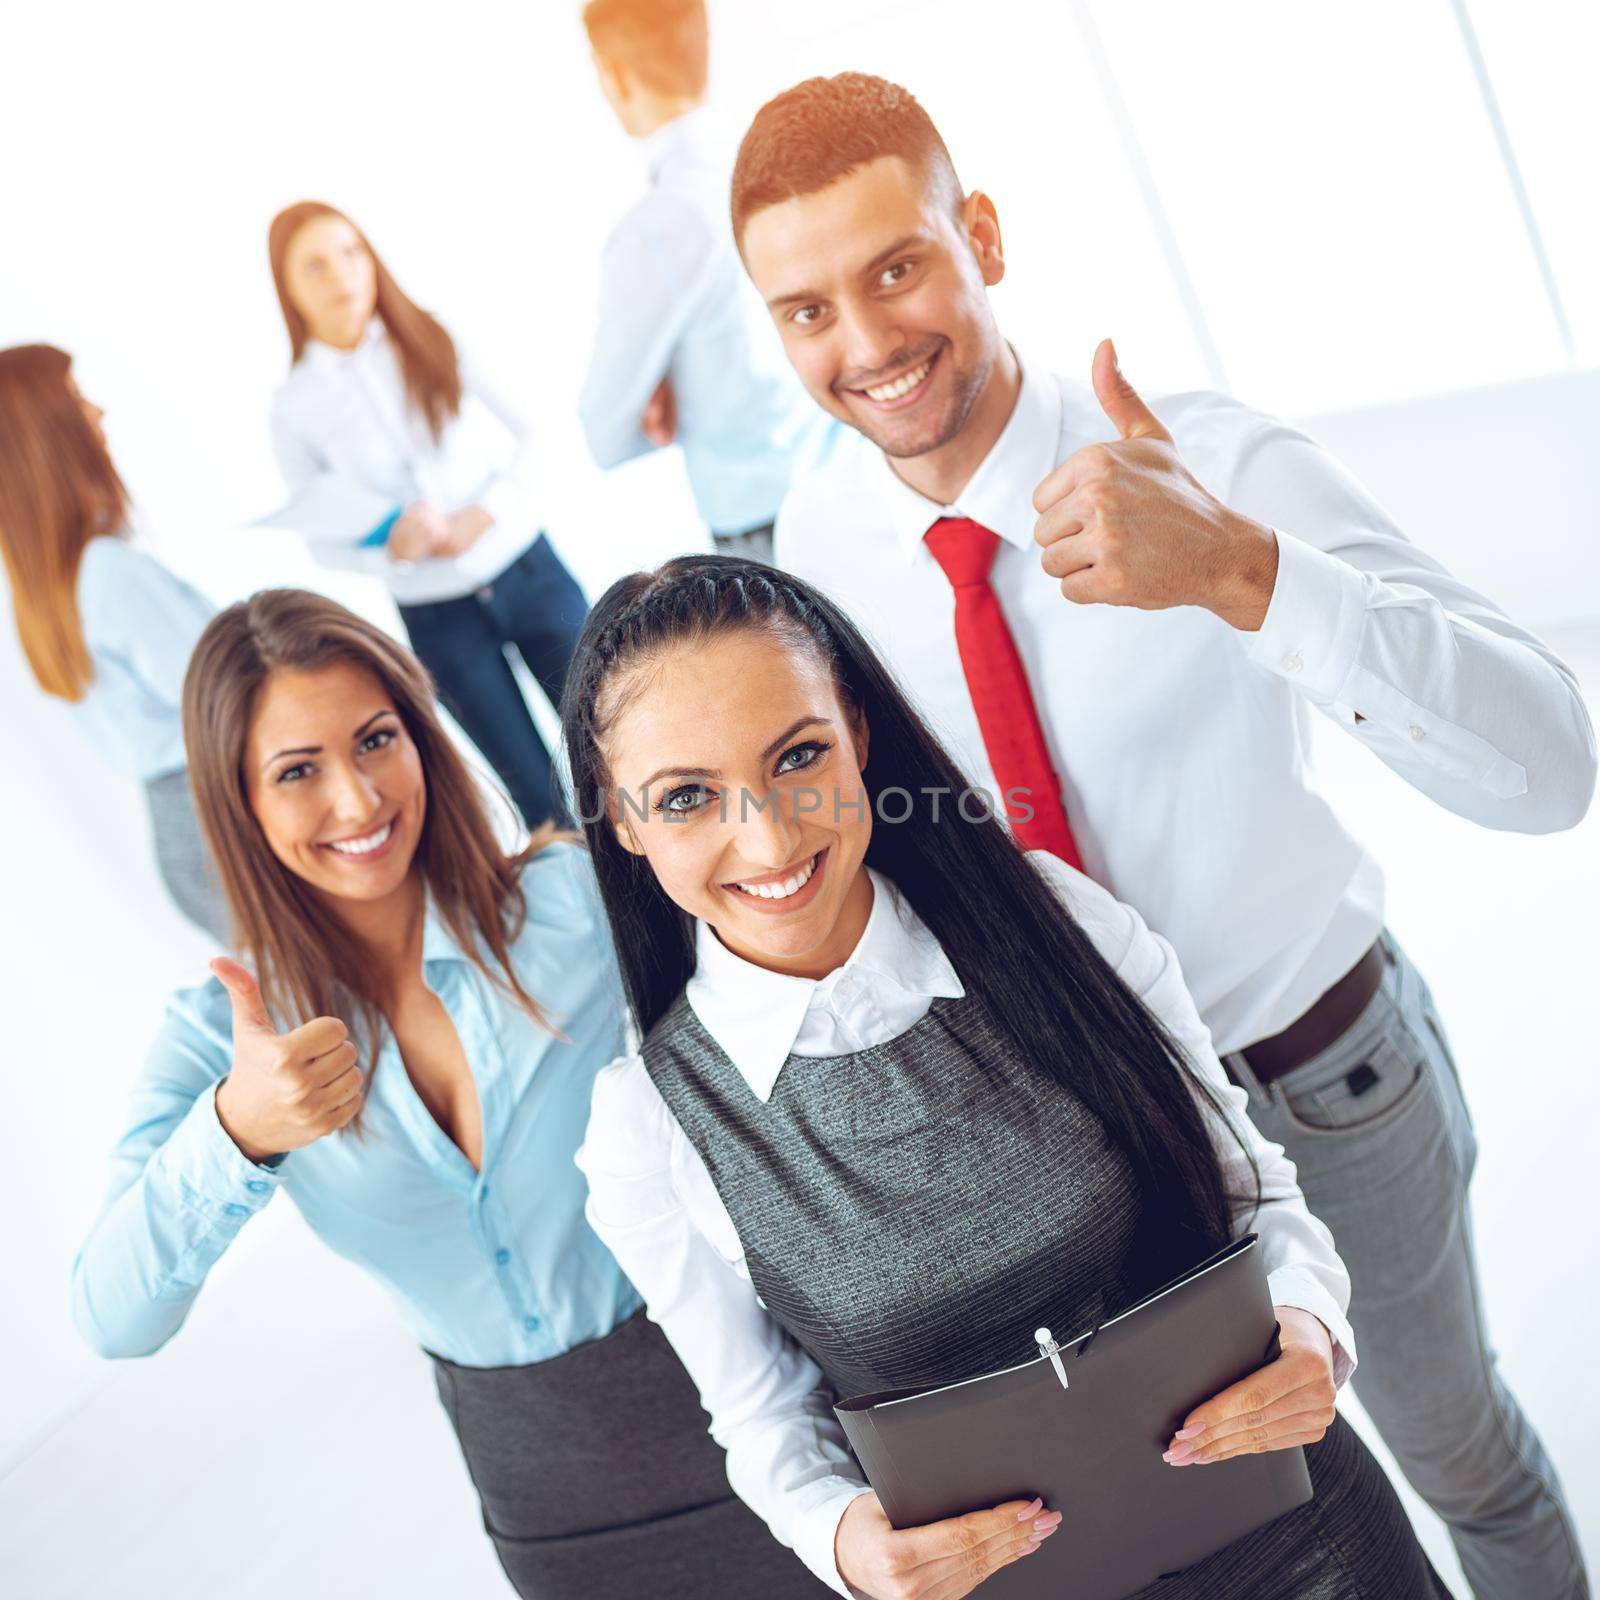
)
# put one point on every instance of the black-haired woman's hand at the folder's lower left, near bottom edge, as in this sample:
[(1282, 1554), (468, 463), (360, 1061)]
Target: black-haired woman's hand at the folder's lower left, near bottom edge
[(942, 1561)]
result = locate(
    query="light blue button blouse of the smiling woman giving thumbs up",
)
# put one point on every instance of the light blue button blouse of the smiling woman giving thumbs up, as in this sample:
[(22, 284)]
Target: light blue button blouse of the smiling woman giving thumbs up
[(490, 1270)]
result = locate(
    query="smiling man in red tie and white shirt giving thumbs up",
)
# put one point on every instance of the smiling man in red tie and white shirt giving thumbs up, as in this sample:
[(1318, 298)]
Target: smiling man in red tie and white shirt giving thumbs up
[(1121, 617)]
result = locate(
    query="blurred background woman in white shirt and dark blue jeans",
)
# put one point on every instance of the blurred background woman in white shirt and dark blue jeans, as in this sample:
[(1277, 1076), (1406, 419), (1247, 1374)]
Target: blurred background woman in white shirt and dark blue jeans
[(402, 462)]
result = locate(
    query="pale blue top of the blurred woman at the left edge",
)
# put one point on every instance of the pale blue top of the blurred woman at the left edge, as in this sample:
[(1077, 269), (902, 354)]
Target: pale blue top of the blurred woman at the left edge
[(140, 623)]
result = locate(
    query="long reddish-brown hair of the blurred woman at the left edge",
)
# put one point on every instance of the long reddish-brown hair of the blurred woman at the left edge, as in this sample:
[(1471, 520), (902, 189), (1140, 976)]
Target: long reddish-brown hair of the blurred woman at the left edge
[(58, 490)]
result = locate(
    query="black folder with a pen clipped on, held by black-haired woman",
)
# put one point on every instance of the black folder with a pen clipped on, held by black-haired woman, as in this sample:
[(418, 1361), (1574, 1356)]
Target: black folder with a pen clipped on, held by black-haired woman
[(1084, 1426)]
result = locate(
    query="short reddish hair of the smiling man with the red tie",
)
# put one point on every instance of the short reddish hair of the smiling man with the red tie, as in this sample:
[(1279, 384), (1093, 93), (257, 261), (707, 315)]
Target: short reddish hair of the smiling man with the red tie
[(825, 129)]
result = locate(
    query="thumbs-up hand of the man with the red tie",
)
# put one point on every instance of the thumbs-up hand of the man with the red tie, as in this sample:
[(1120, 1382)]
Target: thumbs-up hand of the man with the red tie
[(1126, 524)]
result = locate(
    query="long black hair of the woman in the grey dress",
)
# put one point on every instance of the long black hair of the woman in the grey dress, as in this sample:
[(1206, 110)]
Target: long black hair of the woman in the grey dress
[(1009, 938)]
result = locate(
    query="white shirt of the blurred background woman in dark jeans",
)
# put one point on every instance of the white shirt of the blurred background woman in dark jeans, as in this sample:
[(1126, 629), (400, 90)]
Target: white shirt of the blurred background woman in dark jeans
[(356, 452)]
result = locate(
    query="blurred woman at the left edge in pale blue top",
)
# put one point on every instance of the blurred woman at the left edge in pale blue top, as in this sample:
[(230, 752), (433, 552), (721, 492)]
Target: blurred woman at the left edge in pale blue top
[(103, 625)]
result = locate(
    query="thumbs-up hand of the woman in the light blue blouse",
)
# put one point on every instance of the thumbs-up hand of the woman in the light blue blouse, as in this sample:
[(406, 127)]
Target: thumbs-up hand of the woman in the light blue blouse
[(286, 1090)]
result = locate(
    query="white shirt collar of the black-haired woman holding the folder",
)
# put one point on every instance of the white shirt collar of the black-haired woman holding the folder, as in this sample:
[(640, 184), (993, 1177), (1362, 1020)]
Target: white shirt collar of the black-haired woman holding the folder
[(758, 1015)]
